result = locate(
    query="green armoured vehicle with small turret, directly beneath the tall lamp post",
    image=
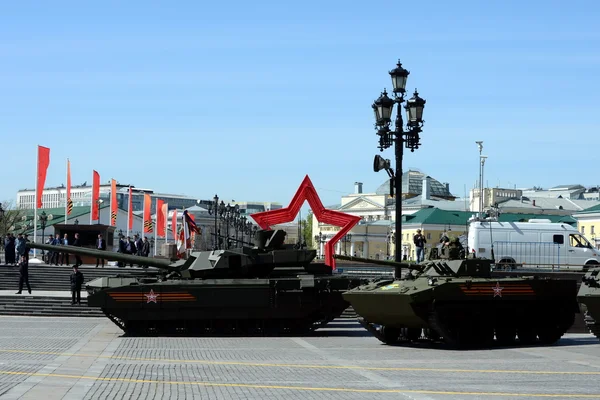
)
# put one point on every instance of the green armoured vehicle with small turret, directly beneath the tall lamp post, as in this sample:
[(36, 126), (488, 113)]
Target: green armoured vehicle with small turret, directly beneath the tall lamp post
[(456, 300)]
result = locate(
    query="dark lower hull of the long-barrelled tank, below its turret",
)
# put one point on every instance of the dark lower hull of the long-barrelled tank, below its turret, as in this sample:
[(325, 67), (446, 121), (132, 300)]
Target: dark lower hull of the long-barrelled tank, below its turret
[(224, 306)]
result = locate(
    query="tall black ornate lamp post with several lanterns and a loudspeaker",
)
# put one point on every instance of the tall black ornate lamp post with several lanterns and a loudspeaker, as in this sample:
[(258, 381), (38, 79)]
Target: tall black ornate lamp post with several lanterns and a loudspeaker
[(409, 138)]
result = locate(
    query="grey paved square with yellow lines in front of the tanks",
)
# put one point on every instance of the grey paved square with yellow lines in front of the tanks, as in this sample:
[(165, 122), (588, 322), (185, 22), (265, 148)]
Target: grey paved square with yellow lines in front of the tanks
[(87, 358)]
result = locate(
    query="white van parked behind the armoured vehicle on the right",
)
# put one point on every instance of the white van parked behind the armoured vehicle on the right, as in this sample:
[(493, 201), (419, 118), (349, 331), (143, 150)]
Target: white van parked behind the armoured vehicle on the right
[(537, 243)]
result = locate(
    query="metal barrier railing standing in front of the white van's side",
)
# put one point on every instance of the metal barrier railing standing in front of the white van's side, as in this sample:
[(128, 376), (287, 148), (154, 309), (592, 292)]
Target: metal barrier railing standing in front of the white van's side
[(530, 254)]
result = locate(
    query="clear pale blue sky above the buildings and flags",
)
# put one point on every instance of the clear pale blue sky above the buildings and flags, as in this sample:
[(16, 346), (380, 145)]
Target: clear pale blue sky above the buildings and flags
[(245, 98)]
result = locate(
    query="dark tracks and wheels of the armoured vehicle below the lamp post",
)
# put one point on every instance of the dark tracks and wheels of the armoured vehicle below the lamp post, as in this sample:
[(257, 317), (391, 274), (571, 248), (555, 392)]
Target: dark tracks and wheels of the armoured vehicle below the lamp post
[(460, 327)]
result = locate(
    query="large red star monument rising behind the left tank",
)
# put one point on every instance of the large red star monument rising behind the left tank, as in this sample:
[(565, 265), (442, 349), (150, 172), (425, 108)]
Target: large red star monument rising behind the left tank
[(307, 192)]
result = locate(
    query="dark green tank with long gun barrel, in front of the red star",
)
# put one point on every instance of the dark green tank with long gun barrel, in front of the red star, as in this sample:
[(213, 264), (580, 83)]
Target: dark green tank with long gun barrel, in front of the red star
[(267, 289)]
